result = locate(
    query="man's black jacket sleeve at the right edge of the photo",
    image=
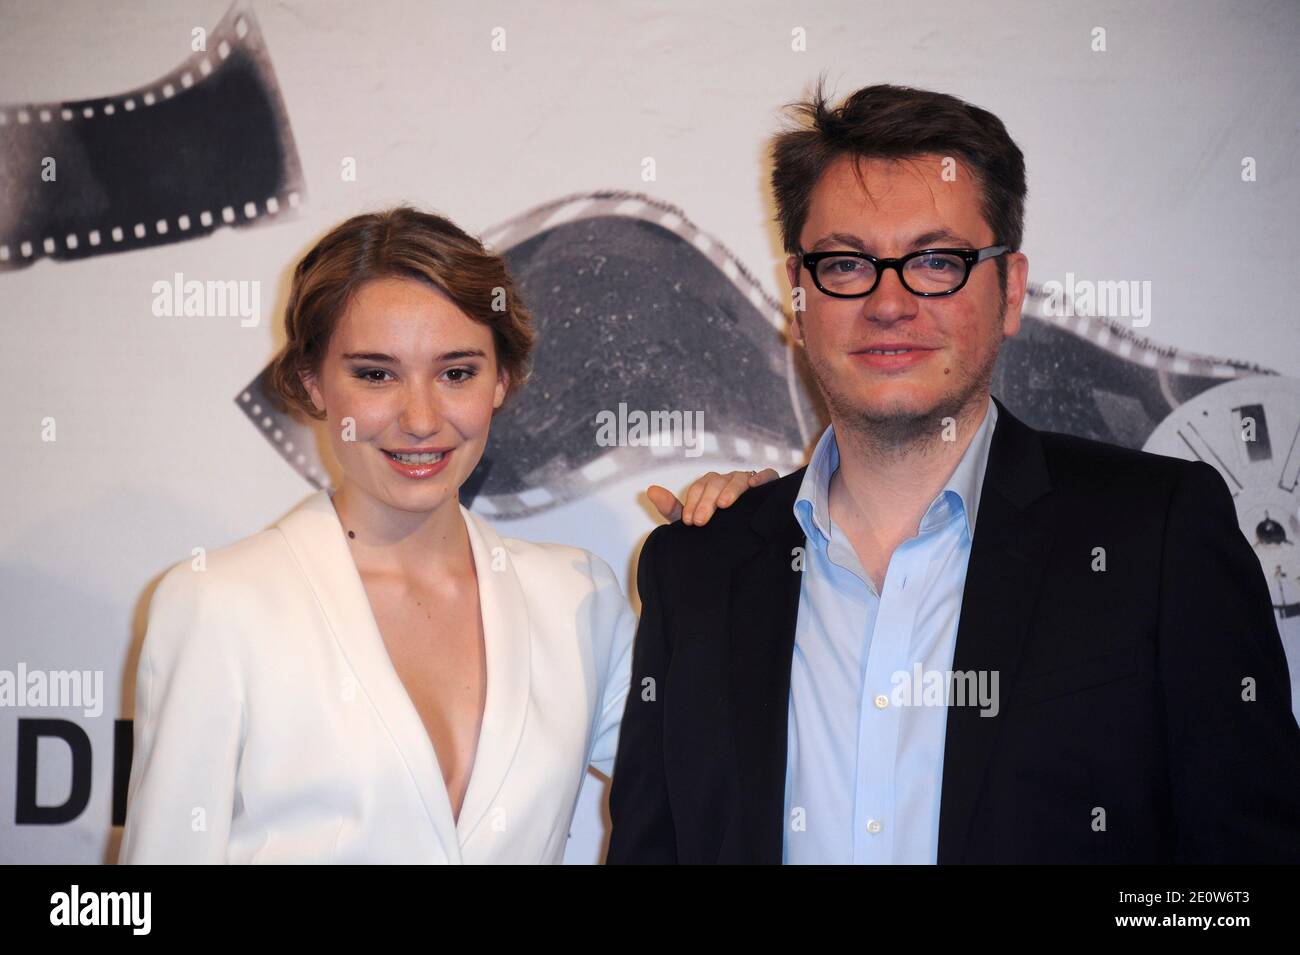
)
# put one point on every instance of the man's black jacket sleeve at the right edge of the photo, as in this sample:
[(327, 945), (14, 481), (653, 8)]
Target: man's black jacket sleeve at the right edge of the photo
[(1234, 761)]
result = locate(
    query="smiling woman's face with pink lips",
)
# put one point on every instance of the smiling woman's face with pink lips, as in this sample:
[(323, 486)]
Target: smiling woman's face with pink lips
[(408, 374)]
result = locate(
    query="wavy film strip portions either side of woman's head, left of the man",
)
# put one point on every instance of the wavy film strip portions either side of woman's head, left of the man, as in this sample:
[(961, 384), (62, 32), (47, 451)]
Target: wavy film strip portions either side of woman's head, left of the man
[(635, 307)]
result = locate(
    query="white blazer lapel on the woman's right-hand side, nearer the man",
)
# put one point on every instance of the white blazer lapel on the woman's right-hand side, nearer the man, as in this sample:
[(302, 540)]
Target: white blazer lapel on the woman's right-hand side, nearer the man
[(508, 637)]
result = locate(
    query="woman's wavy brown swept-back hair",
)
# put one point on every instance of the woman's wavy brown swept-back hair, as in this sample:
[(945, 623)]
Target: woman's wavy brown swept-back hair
[(406, 244)]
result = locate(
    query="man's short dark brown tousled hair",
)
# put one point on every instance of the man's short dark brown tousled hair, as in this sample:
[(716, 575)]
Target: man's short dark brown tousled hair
[(898, 123)]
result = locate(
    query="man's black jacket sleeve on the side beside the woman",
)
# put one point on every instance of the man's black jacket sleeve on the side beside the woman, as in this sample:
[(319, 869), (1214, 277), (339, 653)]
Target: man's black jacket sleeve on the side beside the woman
[(643, 830)]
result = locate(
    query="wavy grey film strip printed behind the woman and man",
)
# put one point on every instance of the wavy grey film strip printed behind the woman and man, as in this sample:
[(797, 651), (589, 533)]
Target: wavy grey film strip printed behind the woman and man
[(638, 305)]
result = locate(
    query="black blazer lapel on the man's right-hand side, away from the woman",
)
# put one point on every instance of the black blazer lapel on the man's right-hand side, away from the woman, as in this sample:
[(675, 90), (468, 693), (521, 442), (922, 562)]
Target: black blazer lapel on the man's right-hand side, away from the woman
[(1008, 555)]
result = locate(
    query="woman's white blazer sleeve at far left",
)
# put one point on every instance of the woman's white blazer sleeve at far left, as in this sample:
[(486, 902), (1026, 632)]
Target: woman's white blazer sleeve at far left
[(189, 728)]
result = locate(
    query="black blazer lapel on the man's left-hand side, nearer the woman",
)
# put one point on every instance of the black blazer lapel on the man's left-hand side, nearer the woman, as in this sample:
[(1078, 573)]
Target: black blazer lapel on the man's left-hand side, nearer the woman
[(765, 600)]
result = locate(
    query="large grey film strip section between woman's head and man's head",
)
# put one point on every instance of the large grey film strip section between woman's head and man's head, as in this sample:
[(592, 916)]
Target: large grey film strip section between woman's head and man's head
[(748, 331)]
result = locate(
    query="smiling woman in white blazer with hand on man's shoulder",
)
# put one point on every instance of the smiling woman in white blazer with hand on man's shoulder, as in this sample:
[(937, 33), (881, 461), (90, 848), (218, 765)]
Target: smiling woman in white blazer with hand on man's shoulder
[(382, 678)]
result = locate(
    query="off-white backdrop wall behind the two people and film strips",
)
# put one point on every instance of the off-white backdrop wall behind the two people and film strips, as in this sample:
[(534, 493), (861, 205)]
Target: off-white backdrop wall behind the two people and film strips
[(1134, 162)]
